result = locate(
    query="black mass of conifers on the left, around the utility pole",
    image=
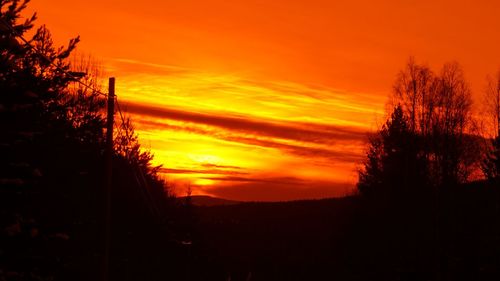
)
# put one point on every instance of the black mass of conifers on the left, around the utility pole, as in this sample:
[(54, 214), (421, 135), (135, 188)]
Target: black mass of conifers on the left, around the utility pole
[(52, 172)]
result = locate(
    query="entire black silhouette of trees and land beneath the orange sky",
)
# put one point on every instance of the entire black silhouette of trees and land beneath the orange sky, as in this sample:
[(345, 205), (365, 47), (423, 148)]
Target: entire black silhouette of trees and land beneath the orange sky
[(427, 205)]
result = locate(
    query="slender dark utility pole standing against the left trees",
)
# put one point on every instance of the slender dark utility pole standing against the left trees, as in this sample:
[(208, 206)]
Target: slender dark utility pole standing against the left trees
[(109, 177)]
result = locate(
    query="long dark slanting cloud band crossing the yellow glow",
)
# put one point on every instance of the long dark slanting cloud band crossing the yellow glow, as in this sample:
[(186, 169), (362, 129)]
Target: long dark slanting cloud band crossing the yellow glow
[(250, 132)]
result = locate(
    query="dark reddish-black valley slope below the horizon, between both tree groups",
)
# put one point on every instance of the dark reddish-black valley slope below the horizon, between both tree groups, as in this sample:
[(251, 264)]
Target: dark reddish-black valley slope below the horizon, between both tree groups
[(277, 241)]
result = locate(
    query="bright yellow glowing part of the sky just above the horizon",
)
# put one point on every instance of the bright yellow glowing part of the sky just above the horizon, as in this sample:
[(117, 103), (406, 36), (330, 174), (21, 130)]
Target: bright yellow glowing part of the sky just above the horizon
[(209, 130)]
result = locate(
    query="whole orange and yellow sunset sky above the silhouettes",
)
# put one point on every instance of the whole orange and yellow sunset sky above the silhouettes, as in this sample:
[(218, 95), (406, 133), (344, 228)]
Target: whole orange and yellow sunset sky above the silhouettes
[(269, 100)]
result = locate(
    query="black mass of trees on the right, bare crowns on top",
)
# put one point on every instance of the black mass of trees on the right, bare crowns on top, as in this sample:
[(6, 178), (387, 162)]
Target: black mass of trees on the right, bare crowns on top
[(429, 186)]
